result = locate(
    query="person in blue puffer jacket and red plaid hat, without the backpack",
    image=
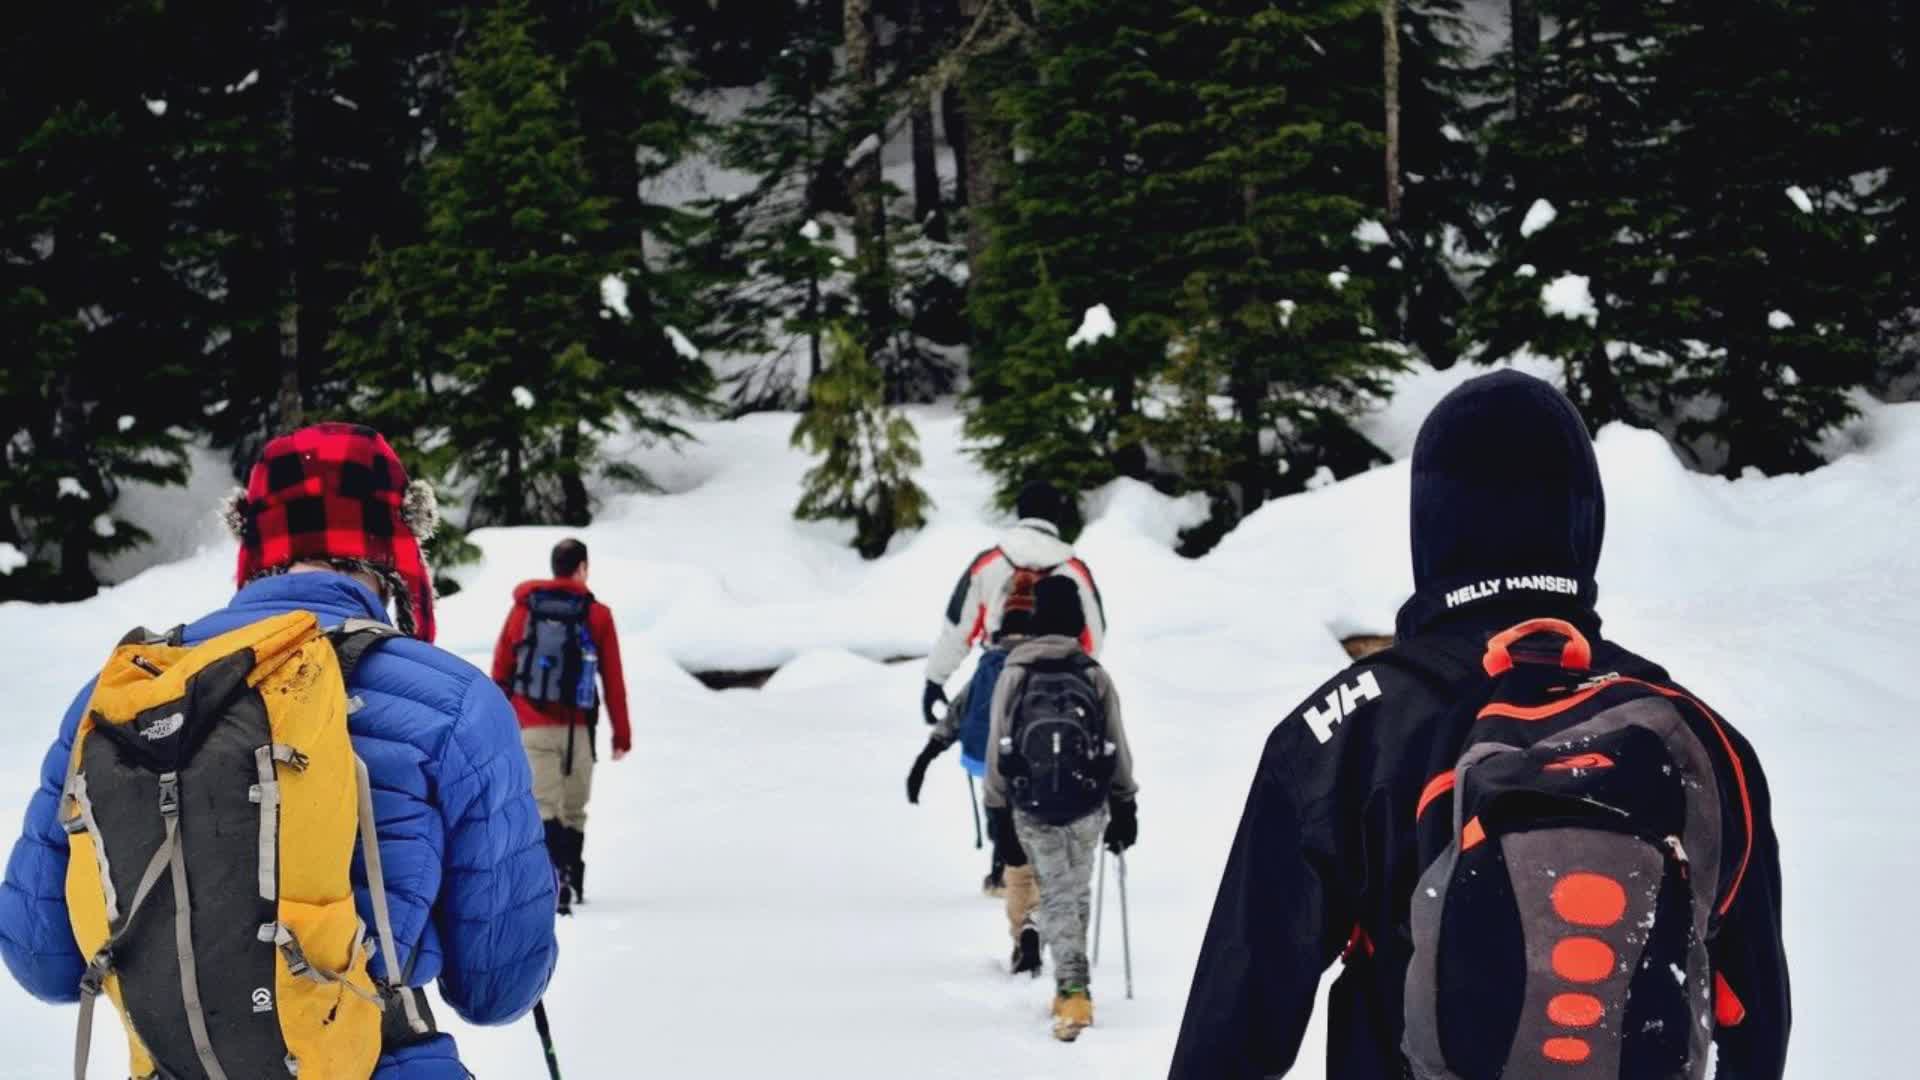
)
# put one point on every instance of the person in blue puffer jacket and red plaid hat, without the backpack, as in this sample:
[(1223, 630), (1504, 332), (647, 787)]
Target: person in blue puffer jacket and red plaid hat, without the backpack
[(331, 526)]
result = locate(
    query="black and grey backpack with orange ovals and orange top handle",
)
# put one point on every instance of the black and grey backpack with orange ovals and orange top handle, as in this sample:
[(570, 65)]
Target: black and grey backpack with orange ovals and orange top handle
[(1573, 866)]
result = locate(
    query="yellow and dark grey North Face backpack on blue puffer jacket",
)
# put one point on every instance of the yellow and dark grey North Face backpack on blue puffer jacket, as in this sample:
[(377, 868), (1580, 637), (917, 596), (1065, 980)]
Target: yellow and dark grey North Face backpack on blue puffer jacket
[(212, 806)]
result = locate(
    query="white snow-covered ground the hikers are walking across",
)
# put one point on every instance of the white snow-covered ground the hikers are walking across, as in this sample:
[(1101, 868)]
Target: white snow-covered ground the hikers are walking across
[(765, 902)]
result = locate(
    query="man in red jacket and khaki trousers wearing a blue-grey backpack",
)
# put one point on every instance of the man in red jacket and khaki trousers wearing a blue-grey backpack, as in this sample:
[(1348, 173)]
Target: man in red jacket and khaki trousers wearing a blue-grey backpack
[(556, 643)]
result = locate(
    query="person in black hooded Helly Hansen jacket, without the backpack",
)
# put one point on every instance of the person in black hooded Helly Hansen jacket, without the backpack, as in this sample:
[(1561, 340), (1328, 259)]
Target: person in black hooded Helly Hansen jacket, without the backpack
[(1506, 526)]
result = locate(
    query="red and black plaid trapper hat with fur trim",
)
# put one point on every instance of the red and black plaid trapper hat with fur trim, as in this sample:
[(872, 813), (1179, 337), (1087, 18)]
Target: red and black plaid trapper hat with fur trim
[(339, 493)]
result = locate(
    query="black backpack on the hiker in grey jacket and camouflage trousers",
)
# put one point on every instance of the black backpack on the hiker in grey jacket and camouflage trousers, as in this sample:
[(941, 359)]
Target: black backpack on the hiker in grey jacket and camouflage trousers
[(1055, 756)]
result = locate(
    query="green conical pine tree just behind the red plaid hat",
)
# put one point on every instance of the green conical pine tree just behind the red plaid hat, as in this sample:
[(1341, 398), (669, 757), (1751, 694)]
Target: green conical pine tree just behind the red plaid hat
[(523, 343)]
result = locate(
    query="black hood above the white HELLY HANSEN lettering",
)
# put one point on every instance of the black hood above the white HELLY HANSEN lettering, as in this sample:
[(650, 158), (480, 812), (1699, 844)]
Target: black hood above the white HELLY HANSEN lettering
[(1506, 483)]
